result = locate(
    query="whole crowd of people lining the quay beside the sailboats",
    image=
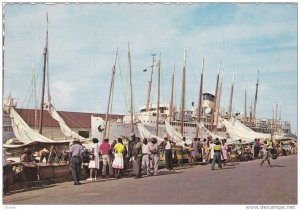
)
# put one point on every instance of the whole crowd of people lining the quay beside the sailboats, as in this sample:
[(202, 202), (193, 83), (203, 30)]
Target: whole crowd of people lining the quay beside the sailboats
[(142, 156)]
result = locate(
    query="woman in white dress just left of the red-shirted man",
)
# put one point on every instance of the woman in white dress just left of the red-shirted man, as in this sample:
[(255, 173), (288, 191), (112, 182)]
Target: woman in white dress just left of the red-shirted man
[(94, 160)]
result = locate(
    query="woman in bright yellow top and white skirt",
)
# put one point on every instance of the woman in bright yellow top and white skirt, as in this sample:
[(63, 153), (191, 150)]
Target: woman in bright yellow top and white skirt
[(118, 163)]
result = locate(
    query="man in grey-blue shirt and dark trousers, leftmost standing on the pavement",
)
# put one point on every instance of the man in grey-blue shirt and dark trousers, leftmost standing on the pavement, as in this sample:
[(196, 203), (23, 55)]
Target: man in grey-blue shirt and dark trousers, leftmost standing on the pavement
[(76, 151)]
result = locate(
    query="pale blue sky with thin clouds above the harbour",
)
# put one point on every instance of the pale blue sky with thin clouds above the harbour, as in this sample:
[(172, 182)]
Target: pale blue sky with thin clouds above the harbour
[(84, 38)]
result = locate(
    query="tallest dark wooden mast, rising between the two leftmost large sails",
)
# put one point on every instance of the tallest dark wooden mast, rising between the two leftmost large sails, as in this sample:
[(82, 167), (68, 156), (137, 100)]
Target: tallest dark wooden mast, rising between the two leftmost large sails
[(43, 81)]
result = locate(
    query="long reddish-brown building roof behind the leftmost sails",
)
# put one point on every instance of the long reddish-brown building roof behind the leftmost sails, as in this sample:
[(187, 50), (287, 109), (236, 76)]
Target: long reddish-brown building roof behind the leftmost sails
[(72, 119)]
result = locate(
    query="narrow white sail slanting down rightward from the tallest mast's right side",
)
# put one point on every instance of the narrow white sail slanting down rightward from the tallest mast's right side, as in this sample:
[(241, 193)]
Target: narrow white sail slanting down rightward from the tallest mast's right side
[(65, 129)]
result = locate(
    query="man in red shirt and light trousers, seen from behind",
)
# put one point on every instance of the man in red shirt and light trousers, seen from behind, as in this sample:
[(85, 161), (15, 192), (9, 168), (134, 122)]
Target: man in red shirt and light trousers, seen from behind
[(106, 157)]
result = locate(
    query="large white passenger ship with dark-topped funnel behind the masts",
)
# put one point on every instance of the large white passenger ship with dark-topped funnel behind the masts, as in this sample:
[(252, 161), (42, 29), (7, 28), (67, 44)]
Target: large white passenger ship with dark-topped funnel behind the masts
[(123, 127)]
